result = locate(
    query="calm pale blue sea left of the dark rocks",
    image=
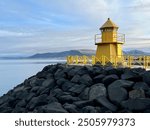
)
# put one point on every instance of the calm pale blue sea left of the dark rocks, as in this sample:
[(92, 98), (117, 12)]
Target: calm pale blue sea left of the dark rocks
[(14, 72)]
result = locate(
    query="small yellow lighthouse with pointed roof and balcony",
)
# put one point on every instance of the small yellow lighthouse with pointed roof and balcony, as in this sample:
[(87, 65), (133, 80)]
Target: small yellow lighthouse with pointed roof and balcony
[(109, 42)]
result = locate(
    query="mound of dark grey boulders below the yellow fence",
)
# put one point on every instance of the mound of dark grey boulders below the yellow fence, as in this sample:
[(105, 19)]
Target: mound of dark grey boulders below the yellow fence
[(81, 89)]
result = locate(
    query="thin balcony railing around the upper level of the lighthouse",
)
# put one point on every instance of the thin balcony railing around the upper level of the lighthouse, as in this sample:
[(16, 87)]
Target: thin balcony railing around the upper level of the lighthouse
[(119, 38)]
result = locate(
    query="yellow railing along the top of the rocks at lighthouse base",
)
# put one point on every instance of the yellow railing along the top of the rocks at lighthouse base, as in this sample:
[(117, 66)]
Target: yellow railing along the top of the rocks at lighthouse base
[(116, 61)]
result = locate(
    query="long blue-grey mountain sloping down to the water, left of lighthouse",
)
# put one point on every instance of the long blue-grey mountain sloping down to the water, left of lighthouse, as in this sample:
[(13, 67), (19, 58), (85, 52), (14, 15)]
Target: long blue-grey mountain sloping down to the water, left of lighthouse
[(57, 54)]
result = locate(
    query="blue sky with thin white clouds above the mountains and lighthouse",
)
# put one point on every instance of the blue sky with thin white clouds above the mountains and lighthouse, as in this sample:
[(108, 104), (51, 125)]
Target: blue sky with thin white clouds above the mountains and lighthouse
[(38, 26)]
